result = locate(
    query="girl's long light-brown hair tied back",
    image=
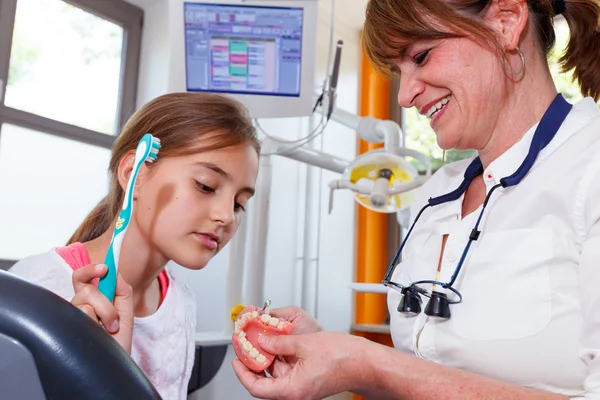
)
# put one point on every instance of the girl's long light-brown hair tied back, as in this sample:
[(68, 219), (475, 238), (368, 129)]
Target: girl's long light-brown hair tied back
[(178, 120)]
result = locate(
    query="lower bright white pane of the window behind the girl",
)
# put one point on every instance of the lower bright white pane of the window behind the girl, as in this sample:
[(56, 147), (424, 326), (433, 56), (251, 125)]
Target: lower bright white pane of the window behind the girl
[(37, 210)]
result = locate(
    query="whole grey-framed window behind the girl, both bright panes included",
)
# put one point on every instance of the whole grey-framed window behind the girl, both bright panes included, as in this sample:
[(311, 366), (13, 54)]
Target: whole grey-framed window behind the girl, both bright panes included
[(68, 81)]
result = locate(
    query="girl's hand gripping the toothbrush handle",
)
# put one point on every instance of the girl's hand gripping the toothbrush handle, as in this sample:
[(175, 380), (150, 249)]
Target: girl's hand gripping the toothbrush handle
[(116, 317)]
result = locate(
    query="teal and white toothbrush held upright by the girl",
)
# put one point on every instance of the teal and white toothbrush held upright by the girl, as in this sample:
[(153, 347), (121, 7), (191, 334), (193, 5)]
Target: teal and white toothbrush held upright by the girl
[(147, 150)]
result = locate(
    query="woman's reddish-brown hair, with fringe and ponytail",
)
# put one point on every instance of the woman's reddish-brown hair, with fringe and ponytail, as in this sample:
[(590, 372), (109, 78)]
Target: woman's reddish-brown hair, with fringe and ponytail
[(392, 25)]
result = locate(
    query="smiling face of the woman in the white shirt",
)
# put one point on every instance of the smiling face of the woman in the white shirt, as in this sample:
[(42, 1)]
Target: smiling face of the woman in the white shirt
[(458, 84)]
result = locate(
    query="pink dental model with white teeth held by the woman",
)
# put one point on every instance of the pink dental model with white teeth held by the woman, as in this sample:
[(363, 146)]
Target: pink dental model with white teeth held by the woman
[(249, 326)]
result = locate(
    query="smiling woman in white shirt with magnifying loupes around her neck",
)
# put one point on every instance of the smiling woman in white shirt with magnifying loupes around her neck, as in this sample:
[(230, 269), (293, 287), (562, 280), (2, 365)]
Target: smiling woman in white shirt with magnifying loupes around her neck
[(496, 295)]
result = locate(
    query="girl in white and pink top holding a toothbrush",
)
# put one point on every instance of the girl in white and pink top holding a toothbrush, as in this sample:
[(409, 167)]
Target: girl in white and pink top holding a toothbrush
[(188, 205)]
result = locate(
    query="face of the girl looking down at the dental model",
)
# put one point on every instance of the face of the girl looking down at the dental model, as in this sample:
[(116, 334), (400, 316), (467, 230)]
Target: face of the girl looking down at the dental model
[(189, 207)]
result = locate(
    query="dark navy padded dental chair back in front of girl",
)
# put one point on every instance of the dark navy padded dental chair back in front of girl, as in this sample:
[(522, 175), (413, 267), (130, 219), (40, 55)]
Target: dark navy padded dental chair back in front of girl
[(50, 350)]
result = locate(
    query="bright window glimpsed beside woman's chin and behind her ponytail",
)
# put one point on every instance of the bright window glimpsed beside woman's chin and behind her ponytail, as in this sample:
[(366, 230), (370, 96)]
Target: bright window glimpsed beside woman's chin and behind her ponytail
[(420, 136)]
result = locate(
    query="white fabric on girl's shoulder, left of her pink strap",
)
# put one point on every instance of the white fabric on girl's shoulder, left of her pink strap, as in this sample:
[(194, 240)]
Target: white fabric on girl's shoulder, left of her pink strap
[(47, 271)]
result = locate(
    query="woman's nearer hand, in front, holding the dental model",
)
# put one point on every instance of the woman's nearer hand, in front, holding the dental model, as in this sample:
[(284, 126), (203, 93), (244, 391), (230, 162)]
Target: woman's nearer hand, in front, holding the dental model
[(326, 363)]
